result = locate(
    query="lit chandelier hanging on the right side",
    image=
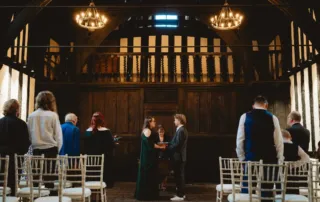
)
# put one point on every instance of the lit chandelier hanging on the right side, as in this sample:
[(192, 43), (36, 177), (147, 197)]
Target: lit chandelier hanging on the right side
[(226, 20)]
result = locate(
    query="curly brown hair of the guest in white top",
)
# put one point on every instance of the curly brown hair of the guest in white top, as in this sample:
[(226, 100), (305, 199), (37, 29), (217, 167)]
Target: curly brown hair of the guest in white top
[(46, 101)]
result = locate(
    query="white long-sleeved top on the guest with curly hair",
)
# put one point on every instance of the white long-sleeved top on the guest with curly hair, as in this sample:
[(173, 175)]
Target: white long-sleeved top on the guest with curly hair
[(45, 130)]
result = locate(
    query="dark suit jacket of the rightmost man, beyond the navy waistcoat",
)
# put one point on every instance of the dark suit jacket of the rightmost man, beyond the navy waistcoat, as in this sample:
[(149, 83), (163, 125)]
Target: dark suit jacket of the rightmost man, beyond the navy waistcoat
[(300, 136)]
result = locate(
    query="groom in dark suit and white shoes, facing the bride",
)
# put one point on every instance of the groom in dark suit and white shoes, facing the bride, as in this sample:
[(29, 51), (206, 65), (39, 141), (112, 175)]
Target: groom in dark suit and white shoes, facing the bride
[(178, 148)]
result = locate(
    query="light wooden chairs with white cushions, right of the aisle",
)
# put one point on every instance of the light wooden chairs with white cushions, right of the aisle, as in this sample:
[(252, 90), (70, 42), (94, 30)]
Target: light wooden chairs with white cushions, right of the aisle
[(250, 181)]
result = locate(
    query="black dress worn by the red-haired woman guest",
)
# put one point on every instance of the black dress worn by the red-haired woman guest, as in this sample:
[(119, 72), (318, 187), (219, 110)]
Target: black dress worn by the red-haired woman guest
[(101, 142)]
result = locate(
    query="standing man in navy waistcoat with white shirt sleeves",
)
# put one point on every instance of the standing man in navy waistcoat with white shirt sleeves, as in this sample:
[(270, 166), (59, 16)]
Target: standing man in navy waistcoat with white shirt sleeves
[(259, 138)]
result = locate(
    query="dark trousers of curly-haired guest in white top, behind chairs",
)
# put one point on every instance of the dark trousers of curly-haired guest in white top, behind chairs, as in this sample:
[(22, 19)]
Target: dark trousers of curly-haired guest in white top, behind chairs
[(48, 153)]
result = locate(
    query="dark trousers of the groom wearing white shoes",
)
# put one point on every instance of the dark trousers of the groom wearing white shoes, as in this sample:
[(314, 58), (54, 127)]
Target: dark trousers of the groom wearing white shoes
[(179, 176)]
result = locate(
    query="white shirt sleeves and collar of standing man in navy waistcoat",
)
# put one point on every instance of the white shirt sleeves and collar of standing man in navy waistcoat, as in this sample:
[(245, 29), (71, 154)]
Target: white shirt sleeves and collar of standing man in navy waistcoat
[(278, 141)]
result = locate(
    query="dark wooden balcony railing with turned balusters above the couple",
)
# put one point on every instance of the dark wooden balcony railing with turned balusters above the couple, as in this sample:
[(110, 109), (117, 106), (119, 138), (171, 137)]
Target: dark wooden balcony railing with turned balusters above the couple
[(161, 67)]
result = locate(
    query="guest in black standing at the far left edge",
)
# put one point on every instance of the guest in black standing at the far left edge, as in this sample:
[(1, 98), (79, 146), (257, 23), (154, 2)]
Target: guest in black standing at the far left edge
[(14, 137)]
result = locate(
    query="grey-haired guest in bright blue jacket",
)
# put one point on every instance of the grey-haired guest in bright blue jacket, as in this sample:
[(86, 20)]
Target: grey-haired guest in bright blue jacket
[(71, 136)]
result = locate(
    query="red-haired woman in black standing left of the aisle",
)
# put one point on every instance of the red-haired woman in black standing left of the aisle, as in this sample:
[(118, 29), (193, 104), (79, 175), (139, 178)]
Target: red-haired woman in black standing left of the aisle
[(99, 141)]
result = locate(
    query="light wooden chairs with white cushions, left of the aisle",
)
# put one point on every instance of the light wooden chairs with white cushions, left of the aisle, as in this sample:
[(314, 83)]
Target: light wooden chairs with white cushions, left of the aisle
[(63, 179)]
